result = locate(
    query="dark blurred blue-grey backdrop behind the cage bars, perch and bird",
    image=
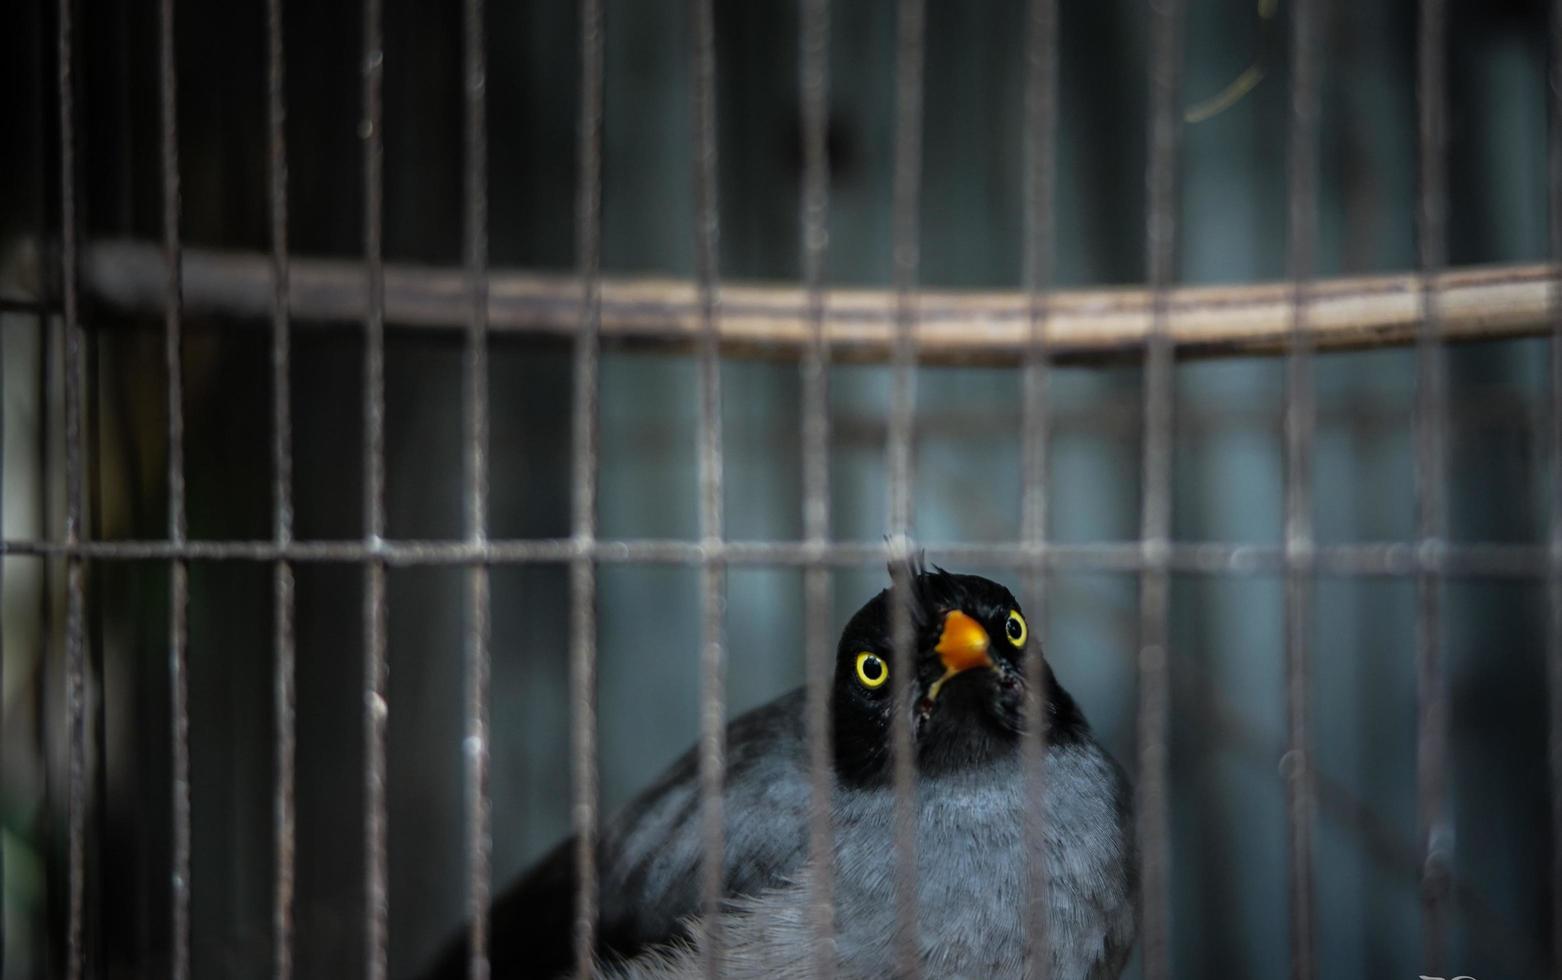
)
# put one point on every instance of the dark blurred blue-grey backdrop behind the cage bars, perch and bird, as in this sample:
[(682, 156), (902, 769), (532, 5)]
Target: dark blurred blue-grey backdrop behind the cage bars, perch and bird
[(1230, 901)]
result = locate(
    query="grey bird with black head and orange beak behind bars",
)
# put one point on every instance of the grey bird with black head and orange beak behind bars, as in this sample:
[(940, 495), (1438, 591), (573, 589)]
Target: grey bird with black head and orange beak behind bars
[(966, 692)]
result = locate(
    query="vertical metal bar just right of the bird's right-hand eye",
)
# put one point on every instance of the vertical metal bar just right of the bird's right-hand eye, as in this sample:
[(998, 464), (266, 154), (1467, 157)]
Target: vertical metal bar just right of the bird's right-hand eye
[(1040, 182)]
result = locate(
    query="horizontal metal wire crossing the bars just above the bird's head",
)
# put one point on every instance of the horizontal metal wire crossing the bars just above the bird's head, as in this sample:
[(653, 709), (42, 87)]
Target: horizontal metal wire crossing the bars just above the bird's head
[(1389, 559)]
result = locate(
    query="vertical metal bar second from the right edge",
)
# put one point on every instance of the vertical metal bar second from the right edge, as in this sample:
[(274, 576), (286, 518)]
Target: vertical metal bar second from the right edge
[(1432, 424)]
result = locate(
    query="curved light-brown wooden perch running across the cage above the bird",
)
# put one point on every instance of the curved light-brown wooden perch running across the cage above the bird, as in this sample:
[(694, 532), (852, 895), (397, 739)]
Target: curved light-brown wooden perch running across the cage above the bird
[(771, 320)]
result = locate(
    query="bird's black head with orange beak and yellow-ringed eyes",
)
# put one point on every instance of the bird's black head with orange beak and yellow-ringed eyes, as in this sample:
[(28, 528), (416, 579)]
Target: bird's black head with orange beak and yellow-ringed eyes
[(968, 682)]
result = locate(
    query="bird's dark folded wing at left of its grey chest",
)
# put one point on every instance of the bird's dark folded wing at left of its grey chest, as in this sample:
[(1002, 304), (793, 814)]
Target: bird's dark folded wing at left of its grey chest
[(649, 854)]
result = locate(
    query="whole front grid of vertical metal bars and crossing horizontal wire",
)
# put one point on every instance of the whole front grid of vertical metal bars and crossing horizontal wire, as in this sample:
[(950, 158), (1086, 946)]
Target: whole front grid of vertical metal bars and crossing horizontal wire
[(1154, 557)]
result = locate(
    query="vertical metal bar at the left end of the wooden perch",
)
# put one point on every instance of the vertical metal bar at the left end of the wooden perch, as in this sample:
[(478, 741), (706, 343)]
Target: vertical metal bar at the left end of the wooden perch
[(76, 587)]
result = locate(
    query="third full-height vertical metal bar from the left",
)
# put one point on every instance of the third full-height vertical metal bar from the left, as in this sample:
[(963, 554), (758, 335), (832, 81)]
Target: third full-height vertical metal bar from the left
[(284, 643)]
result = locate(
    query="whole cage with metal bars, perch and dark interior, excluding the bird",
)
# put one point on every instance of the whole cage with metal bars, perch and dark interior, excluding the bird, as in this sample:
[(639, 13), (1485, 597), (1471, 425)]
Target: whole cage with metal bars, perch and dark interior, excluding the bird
[(424, 423)]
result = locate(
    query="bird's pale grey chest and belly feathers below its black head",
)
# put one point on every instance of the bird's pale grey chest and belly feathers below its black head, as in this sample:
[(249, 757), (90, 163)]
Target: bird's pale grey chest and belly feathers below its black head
[(972, 885)]
